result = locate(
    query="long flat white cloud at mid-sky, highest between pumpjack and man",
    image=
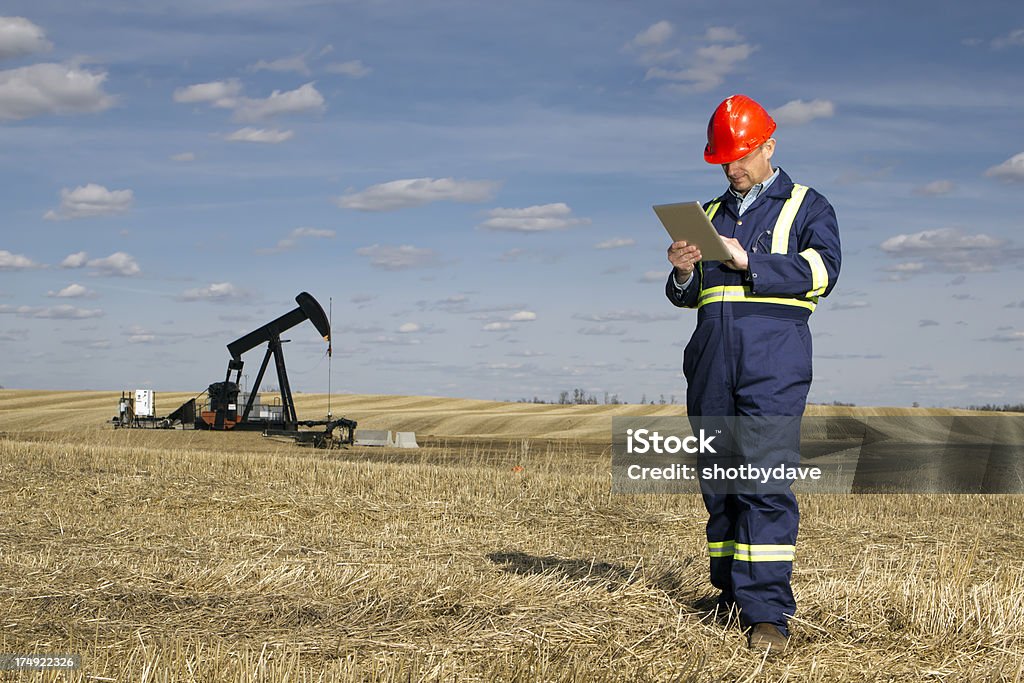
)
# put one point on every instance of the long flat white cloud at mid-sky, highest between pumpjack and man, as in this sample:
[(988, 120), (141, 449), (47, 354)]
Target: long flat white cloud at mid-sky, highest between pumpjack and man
[(417, 192)]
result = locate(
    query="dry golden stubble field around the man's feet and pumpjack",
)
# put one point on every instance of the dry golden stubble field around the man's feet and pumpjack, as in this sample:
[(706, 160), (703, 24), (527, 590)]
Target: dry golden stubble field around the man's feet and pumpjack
[(170, 557)]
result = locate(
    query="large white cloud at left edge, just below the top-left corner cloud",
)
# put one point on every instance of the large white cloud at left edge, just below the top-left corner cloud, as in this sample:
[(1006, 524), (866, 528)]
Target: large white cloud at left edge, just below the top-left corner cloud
[(52, 89)]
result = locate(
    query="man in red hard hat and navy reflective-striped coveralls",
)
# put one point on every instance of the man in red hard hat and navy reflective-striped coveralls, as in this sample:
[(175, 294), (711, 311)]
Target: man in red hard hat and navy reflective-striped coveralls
[(751, 352)]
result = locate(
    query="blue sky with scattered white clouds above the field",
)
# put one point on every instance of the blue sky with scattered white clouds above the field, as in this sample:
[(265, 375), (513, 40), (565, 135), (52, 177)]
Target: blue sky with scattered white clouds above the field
[(472, 185)]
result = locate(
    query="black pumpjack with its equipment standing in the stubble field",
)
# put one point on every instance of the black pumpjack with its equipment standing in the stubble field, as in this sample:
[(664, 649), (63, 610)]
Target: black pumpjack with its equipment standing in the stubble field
[(223, 410)]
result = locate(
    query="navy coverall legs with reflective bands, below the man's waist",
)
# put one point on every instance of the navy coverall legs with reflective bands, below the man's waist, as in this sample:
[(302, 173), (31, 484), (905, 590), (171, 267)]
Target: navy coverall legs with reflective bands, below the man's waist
[(751, 366)]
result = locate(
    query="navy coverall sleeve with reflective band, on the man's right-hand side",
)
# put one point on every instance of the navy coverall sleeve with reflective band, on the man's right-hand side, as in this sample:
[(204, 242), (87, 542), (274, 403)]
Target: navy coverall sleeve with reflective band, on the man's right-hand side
[(814, 270)]
